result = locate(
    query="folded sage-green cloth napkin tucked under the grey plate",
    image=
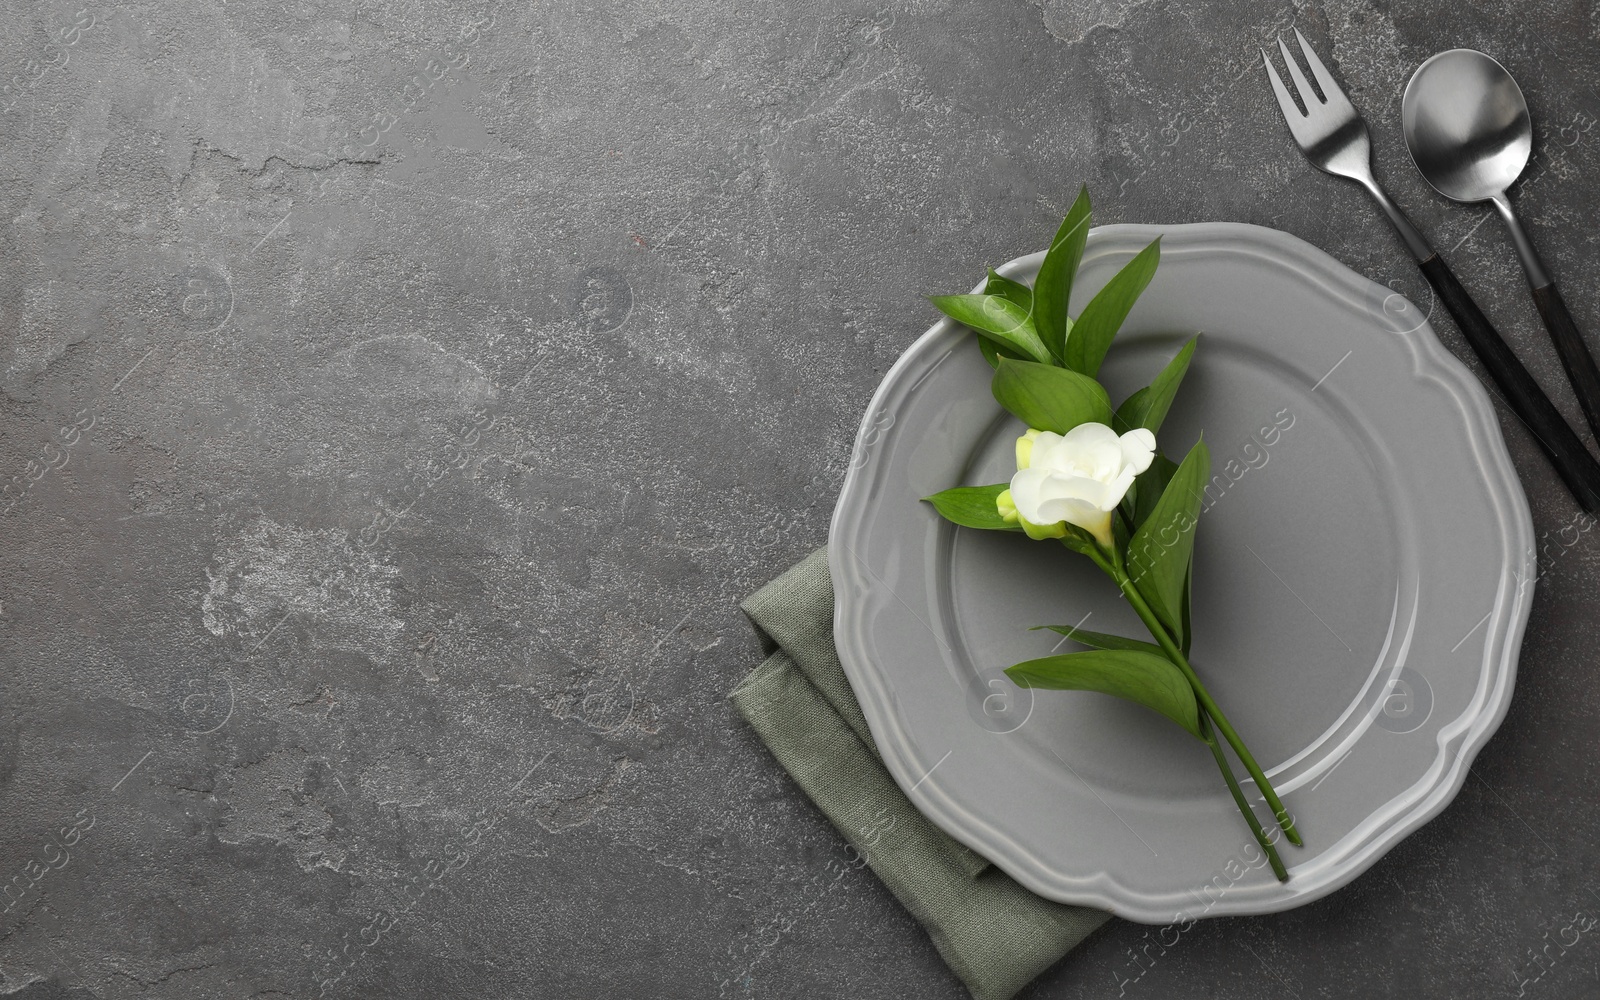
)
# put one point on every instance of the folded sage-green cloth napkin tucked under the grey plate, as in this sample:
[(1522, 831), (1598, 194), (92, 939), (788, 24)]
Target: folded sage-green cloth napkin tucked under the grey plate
[(993, 934)]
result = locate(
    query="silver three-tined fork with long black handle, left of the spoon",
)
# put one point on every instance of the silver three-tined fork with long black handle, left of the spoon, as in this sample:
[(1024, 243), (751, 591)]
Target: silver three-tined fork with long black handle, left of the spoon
[(1334, 137)]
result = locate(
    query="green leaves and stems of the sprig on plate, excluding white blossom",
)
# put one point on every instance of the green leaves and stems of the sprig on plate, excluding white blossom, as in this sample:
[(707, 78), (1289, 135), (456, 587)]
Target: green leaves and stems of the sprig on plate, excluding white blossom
[(1046, 369)]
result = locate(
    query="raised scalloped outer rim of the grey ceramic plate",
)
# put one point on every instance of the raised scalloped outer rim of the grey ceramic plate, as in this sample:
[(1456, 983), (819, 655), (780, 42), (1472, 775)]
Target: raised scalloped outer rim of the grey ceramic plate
[(1447, 770)]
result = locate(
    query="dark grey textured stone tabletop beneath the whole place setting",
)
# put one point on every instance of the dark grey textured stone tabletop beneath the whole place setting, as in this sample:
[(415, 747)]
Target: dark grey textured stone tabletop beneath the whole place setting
[(399, 398)]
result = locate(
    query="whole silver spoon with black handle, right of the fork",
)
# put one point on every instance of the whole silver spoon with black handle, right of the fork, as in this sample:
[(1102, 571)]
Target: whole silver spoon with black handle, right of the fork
[(1470, 134)]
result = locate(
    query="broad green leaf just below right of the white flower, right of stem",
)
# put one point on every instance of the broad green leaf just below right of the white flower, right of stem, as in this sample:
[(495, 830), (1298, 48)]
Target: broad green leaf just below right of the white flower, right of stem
[(1159, 553)]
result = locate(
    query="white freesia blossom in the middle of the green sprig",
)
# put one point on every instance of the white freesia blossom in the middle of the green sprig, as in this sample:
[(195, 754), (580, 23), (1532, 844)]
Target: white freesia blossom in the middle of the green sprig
[(1074, 479)]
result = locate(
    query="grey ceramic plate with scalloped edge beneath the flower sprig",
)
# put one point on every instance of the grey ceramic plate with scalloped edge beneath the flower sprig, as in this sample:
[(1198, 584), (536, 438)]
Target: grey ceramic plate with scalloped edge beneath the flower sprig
[(1362, 580)]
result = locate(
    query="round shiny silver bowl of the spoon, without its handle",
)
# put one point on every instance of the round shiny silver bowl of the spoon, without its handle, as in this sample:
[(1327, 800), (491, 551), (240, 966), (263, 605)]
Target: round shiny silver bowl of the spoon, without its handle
[(1466, 126)]
